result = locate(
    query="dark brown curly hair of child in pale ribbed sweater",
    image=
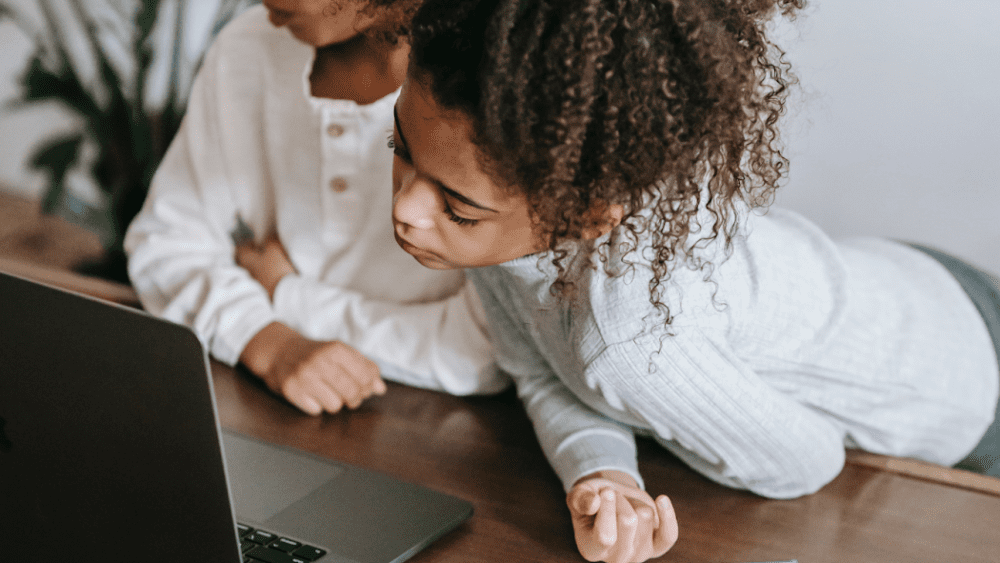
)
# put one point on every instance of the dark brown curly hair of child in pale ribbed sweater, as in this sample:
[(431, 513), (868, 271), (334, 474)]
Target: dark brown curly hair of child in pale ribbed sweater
[(663, 105)]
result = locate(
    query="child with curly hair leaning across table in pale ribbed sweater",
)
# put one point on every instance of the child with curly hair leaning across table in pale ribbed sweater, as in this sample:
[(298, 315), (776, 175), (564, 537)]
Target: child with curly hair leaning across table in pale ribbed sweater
[(601, 167)]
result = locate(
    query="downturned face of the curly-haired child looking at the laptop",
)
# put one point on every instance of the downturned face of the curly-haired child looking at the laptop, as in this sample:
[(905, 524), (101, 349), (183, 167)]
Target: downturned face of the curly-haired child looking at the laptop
[(446, 212)]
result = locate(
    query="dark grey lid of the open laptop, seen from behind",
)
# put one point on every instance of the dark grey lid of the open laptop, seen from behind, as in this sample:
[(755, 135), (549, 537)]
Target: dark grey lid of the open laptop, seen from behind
[(111, 442)]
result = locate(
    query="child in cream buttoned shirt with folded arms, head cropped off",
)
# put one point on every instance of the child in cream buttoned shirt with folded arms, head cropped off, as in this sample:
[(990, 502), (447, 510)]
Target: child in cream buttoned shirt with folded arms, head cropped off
[(287, 129)]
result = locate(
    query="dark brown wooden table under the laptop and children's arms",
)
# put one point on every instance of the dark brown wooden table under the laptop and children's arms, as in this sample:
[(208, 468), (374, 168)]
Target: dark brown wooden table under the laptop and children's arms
[(483, 449)]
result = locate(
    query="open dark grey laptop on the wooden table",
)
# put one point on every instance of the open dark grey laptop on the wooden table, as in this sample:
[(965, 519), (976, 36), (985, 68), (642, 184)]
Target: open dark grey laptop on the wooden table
[(111, 451)]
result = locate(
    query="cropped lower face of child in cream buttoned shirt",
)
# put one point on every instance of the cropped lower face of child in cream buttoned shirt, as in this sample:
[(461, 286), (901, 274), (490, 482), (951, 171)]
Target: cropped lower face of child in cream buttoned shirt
[(319, 22)]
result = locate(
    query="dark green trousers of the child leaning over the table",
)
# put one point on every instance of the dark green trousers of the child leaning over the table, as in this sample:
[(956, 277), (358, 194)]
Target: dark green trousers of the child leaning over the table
[(984, 289)]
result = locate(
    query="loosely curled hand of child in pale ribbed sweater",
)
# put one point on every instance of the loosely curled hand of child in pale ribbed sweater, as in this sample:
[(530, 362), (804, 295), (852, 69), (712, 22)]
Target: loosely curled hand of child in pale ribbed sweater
[(616, 521)]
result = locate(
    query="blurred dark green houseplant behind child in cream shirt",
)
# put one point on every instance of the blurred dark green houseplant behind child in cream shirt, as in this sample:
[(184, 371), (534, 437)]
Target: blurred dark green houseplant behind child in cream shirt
[(123, 134)]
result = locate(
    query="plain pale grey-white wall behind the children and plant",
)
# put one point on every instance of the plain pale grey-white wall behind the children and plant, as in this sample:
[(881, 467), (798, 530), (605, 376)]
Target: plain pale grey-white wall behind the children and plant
[(893, 131)]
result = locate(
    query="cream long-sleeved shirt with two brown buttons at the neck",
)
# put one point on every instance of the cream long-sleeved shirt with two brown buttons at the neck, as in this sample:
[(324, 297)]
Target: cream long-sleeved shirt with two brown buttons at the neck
[(317, 172)]
